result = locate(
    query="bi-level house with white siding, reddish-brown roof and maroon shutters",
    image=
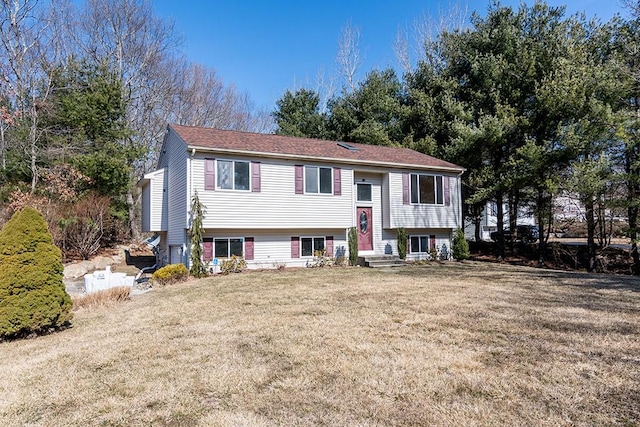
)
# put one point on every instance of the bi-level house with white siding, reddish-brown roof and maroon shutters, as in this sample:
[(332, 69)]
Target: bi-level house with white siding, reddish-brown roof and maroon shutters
[(275, 200)]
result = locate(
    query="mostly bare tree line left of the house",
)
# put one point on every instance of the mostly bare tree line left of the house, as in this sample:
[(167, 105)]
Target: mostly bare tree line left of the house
[(86, 92)]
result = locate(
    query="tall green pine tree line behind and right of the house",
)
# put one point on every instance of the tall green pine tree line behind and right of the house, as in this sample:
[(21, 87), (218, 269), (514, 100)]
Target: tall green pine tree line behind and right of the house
[(533, 102)]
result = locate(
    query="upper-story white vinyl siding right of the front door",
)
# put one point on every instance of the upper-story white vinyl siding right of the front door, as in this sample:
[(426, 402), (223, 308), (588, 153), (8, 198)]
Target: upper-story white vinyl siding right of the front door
[(422, 215)]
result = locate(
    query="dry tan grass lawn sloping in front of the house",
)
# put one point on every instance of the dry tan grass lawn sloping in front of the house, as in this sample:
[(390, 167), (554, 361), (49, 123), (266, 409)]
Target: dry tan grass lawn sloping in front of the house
[(451, 344)]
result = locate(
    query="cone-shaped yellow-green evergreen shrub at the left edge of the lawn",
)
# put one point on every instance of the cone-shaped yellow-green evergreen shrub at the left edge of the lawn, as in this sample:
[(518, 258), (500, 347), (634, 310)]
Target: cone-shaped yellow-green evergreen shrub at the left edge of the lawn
[(32, 295)]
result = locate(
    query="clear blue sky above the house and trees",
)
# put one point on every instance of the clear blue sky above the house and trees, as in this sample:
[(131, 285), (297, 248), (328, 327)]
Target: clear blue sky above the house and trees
[(266, 47)]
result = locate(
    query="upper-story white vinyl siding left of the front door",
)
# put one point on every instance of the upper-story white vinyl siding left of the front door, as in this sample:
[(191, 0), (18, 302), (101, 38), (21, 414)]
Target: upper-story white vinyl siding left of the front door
[(276, 206)]
